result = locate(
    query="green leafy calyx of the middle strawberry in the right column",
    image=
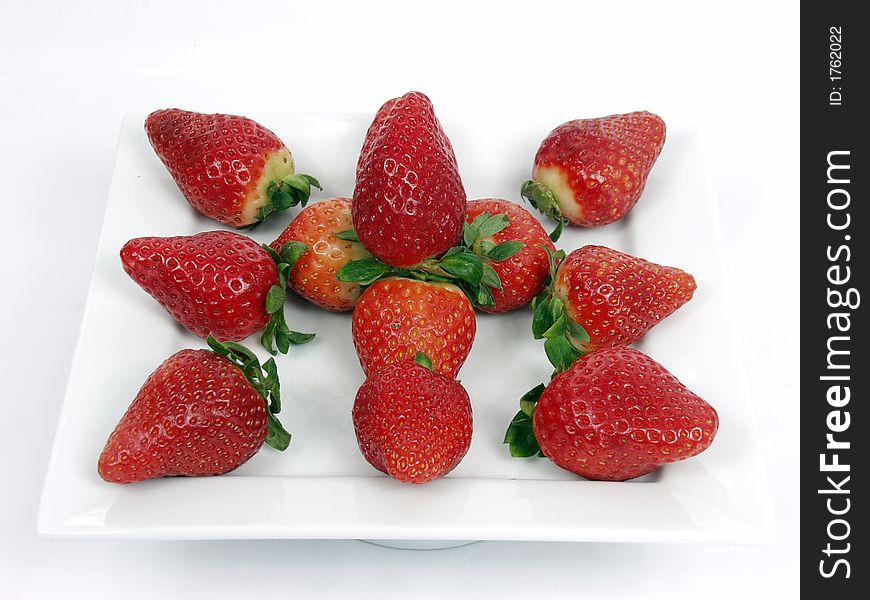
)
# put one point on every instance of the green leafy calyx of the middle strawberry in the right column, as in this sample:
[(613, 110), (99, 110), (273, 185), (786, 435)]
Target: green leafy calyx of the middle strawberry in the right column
[(564, 340)]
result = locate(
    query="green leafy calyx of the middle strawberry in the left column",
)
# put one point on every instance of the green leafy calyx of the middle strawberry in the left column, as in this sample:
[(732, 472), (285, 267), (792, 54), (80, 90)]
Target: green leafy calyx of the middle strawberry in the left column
[(277, 335)]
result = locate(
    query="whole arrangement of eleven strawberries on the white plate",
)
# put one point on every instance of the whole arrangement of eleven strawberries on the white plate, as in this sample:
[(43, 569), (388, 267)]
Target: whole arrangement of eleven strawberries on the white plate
[(412, 258)]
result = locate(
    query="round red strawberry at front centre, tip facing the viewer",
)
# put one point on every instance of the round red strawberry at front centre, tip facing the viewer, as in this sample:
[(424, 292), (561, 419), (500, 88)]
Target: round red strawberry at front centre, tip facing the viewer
[(412, 424)]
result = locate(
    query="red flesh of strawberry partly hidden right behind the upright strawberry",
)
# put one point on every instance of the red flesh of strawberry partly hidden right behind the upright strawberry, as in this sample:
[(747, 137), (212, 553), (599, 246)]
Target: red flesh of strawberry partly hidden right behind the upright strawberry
[(523, 275)]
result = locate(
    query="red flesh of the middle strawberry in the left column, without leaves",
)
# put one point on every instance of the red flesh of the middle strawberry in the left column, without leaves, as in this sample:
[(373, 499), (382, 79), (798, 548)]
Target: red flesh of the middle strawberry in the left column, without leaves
[(213, 282)]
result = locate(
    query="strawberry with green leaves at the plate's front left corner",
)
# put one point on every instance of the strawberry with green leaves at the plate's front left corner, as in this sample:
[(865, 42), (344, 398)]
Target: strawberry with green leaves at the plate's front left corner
[(202, 412)]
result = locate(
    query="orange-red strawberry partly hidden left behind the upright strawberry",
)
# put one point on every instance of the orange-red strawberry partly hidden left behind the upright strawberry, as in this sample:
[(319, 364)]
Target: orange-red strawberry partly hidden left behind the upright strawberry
[(323, 228)]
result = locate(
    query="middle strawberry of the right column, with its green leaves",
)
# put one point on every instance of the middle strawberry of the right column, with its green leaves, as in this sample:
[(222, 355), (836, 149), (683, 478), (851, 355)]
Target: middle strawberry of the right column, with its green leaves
[(599, 298)]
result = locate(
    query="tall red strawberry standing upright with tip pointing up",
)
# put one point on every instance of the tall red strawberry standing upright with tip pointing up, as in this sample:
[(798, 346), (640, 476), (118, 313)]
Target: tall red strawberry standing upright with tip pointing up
[(409, 203)]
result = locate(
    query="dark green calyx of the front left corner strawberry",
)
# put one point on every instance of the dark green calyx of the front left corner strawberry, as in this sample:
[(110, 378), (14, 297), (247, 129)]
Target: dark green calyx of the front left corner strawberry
[(264, 379)]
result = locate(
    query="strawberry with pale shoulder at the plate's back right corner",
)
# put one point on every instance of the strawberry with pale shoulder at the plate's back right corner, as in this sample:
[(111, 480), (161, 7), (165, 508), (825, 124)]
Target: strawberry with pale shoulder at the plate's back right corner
[(591, 172)]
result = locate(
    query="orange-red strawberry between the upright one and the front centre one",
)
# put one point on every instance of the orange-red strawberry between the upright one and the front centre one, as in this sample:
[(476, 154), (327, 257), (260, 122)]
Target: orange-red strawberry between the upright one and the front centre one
[(395, 318)]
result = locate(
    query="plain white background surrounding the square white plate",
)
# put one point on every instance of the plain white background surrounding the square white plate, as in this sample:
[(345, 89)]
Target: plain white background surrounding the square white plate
[(69, 72)]
